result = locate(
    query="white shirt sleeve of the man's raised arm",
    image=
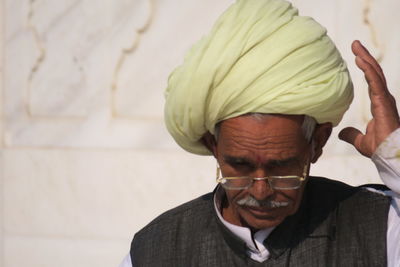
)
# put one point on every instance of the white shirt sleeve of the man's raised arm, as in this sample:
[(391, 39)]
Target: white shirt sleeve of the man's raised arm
[(387, 161)]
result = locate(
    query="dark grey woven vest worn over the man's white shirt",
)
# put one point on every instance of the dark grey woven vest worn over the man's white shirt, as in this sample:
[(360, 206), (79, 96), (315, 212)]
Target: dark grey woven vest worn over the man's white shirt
[(336, 225)]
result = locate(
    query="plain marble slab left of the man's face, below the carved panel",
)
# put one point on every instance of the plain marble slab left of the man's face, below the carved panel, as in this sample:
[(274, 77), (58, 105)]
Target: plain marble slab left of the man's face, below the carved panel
[(97, 194)]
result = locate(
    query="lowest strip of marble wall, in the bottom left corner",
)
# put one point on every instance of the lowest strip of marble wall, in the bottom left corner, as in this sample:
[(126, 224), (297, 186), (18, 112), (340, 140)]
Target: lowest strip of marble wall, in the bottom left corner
[(62, 252)]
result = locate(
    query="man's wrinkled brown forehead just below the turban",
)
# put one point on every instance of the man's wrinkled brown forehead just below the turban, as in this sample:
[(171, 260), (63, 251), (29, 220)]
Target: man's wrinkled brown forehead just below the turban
[(262, 138)]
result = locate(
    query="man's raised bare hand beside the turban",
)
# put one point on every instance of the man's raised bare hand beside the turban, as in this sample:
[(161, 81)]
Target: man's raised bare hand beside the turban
[(383, 106)]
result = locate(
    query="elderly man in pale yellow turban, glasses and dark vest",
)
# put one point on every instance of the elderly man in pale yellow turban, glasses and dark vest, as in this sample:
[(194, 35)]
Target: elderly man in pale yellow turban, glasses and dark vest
[(261, 93)]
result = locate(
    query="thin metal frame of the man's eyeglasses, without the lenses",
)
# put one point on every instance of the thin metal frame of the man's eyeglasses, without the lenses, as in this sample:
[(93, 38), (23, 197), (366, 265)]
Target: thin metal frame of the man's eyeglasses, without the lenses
[(268, 178)]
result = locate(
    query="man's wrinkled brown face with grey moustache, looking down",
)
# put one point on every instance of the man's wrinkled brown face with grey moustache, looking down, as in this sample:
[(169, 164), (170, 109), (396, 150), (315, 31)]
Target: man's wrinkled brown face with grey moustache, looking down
[(260, 147)]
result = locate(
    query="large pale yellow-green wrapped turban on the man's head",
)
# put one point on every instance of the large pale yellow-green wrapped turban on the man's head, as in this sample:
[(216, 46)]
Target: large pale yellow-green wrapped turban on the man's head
[(260, 56)]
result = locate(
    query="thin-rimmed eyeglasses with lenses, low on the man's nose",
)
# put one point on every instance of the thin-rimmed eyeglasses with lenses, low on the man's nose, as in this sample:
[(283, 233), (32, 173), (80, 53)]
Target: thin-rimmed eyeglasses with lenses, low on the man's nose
[(288, 182)]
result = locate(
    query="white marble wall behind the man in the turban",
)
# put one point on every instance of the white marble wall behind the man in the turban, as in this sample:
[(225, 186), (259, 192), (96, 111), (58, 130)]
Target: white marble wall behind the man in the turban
[(85, 158)]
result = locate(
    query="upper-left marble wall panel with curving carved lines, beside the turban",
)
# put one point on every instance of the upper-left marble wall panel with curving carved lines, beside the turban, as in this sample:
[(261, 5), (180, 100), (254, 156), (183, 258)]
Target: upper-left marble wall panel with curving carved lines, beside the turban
[(91, 75)]
